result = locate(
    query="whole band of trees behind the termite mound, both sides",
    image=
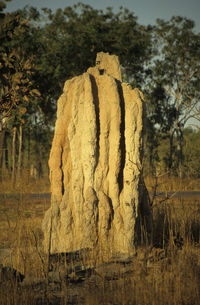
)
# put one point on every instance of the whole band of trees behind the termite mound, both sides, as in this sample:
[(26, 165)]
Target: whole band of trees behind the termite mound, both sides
[(40, 50)]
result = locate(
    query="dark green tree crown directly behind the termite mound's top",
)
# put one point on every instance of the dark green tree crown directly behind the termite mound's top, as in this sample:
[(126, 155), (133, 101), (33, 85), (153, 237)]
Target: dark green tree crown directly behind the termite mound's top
[(70, 39)]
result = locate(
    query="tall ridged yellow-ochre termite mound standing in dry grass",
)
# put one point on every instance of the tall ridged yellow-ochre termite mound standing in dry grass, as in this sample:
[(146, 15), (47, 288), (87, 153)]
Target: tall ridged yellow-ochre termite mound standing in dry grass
[(97, 198)]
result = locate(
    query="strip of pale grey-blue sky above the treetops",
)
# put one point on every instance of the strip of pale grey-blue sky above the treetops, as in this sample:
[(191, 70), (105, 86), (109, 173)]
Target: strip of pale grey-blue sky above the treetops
[(147, 11)]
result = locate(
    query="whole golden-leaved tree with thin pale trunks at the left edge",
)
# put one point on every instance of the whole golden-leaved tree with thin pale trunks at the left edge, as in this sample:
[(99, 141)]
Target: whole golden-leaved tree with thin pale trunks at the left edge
[(17, 87)]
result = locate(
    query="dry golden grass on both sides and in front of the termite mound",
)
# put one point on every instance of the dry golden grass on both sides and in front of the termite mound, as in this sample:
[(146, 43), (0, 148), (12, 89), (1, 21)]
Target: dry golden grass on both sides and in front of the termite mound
[(167, 273)]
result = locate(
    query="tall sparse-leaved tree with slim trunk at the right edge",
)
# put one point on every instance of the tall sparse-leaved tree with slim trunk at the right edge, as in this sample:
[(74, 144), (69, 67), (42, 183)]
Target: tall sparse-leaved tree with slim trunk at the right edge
[(176, 75)]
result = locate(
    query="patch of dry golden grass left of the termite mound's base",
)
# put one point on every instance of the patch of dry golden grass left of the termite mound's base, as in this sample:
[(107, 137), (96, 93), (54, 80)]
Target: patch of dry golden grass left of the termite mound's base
[(20, 231)]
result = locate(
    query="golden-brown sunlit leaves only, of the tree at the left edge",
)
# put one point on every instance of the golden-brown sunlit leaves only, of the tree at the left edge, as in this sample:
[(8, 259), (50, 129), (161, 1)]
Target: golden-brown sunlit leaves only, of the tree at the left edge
[(16, 67)]
